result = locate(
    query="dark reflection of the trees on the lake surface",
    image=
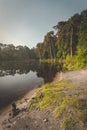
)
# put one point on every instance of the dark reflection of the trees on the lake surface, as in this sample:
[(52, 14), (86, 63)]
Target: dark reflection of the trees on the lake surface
[(44, 70)]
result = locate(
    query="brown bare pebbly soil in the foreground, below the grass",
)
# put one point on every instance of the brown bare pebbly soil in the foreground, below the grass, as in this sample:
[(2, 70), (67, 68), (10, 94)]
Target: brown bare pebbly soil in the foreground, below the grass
[(32, 120)]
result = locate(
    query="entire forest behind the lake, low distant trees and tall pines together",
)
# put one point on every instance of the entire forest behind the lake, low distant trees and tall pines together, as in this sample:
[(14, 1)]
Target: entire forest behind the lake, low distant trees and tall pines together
[(66, 43)]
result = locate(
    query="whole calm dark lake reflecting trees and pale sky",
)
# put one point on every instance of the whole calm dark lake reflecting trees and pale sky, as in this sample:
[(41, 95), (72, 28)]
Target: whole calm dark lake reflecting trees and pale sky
[(17, 78)]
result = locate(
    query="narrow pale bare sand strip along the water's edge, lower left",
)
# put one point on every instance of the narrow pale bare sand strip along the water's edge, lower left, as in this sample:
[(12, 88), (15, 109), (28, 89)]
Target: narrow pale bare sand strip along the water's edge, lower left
[(22, 103)]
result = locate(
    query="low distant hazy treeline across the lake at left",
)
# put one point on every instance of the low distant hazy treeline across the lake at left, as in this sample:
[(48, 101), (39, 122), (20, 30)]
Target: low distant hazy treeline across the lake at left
[(11, 52)]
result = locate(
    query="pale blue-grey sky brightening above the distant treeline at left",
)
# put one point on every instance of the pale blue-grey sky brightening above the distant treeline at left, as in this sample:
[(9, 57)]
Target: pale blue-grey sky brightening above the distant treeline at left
[(26, 22)]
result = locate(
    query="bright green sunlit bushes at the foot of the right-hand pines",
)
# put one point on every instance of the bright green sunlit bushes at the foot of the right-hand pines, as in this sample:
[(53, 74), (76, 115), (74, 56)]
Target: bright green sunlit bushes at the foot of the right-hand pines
[(76, 62)]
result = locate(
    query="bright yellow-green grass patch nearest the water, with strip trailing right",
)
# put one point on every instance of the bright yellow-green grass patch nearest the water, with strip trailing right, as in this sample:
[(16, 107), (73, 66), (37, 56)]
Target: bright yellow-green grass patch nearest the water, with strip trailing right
[(53, 95)]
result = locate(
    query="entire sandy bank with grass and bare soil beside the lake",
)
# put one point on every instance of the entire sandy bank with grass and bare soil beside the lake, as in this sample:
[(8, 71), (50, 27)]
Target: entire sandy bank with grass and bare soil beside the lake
[(62, 106)]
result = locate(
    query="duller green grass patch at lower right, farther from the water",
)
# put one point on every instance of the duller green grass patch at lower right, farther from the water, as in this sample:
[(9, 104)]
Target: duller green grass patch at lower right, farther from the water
[(69, 103)]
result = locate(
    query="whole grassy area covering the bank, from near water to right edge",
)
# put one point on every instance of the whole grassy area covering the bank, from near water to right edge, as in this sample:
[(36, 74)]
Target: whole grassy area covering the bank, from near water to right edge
[(69, 108)]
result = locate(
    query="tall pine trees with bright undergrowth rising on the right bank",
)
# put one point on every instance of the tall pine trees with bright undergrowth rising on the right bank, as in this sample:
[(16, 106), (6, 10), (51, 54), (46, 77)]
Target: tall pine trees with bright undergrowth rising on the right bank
[(68, 44)]
